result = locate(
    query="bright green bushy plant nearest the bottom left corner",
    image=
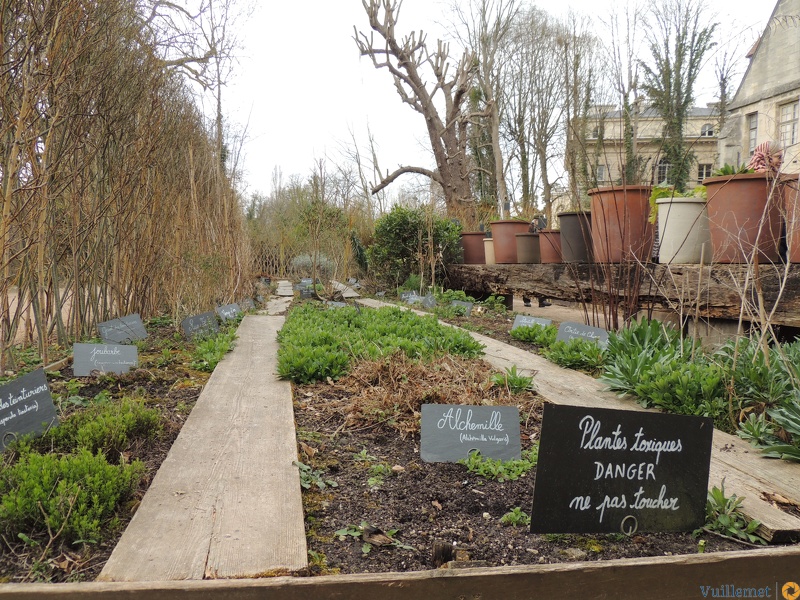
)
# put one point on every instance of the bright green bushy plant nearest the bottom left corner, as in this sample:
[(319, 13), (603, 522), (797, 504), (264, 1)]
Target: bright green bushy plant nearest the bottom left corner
[(73, 496)]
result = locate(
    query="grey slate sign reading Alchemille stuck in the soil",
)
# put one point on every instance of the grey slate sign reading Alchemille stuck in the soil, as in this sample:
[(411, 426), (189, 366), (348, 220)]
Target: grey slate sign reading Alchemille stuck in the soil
[(450, 432)]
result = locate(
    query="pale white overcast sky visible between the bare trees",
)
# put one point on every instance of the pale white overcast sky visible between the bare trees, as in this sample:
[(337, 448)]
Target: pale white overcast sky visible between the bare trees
[(302, 90)]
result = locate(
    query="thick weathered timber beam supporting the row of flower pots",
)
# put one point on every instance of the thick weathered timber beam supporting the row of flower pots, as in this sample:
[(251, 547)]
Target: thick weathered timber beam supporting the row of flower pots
[(668, 286)]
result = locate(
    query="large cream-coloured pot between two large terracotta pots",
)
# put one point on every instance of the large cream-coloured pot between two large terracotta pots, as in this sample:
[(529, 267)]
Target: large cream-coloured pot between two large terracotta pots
[(683, 231)]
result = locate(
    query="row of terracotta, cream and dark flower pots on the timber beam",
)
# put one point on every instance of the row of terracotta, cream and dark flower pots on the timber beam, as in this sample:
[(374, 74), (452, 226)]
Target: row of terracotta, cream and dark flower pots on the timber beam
[(743, 212)]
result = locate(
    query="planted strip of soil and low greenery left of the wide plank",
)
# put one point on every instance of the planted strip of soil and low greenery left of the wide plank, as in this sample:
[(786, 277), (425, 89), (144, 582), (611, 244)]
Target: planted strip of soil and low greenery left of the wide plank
[(66, 496)]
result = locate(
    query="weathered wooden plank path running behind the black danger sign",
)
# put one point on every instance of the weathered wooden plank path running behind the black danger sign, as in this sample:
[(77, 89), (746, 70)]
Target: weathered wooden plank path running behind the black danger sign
[(745, 471)]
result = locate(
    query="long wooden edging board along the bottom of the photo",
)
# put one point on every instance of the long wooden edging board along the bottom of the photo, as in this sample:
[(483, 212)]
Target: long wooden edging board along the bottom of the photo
[(663, 577)]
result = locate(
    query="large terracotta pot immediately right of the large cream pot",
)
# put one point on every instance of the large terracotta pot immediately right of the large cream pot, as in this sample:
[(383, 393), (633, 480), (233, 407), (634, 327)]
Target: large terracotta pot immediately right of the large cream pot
[(744, 214)]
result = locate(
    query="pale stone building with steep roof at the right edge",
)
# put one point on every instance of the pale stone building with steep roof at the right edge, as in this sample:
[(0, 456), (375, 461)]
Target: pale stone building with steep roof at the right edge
[(766, 104)]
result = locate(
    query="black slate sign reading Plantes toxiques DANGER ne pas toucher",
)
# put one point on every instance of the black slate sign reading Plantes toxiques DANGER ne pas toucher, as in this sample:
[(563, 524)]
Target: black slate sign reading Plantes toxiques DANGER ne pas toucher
[(603, 470)]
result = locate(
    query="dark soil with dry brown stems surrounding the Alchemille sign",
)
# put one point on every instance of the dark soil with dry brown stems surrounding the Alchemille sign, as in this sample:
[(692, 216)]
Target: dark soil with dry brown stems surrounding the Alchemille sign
[(430, 505)]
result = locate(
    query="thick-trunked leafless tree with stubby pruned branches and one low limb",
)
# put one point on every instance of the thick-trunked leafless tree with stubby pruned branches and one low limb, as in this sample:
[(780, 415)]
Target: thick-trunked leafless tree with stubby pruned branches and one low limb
[(411, 64)]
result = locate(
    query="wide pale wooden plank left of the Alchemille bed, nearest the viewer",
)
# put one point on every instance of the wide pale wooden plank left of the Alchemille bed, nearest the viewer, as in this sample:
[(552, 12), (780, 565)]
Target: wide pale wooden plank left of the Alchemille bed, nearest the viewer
[(226, 501)]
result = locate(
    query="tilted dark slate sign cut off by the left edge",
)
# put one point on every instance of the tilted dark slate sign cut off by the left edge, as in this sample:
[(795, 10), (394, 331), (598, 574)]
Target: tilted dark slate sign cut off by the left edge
[(25, 407)]
